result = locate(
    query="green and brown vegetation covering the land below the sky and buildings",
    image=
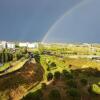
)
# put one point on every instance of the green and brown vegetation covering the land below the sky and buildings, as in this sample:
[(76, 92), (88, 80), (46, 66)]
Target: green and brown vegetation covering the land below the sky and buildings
[(65, 72)]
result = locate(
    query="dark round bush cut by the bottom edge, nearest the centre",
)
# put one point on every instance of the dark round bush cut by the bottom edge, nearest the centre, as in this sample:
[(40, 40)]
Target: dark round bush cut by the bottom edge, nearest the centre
[(54, 95)]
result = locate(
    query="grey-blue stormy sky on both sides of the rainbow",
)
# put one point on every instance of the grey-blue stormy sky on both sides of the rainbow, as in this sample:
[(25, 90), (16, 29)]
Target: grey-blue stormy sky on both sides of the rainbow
[(30, 20)]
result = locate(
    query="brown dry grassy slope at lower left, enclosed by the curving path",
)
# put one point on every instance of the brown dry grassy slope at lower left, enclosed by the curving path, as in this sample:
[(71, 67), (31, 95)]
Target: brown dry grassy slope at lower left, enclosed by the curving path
[(16, 84)]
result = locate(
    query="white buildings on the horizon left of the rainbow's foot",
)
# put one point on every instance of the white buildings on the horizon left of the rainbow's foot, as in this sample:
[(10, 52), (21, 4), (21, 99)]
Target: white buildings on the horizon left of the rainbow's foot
[(12, 45)]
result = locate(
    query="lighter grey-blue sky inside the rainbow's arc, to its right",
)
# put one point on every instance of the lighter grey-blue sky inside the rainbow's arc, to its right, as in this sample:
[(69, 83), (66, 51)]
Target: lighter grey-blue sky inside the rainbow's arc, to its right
[(79, 24)]
